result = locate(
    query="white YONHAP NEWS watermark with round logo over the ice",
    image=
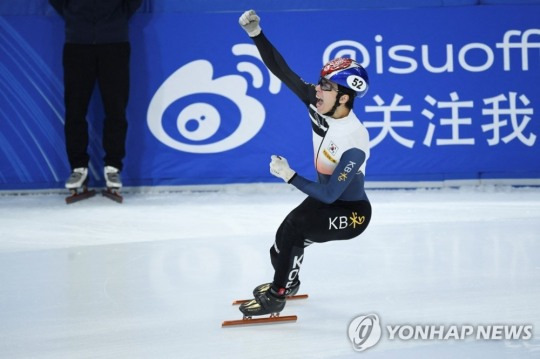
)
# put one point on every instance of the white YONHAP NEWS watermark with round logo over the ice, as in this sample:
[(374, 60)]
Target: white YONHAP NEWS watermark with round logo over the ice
[(365, 331)]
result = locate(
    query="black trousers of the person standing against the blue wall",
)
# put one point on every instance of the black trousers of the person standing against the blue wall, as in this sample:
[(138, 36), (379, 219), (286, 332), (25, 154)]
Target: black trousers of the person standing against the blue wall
[(84, 65)]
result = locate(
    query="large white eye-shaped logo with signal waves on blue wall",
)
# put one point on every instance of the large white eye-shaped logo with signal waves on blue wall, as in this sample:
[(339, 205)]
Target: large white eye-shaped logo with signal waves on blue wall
[(199, 126)]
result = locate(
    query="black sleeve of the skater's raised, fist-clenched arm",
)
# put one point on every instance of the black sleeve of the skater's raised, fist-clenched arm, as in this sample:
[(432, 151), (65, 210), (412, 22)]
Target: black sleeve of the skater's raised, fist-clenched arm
[(277, 65)]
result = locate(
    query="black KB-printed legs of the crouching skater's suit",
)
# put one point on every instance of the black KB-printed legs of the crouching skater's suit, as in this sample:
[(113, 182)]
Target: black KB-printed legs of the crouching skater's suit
[(314, 222)]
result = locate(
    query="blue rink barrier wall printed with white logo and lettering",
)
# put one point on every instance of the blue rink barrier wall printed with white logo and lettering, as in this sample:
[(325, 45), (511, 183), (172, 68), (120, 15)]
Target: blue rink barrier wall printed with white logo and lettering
[(454, 95)]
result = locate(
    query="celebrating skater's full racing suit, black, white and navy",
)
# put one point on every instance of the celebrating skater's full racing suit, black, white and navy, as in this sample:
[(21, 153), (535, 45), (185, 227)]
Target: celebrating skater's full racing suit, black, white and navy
[(337, 207)]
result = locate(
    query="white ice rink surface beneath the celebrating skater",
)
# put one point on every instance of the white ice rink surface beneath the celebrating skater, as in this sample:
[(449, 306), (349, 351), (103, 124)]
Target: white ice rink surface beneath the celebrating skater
[(155, 276)]
